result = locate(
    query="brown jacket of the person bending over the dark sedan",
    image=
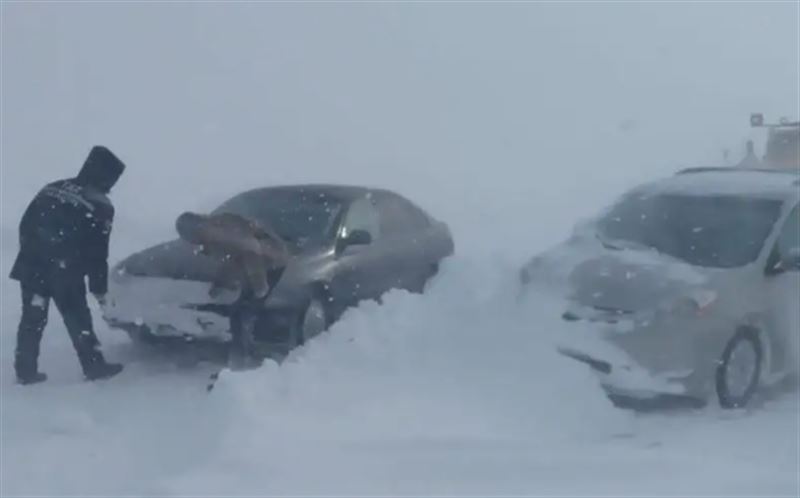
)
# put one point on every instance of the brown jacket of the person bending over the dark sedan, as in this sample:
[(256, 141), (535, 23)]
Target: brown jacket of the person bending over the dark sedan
[(247, 249)]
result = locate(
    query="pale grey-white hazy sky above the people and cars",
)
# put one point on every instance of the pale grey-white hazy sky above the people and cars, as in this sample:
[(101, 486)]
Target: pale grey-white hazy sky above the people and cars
[(478, 111)]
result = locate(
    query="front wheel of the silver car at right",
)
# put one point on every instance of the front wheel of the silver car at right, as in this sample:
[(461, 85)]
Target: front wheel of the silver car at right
[(739, 370)]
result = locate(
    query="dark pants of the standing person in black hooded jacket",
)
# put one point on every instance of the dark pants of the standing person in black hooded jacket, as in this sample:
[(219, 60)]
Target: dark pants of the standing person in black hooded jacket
[(72, 305)]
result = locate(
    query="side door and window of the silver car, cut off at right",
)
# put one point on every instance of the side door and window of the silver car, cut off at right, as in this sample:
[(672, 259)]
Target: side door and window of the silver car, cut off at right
[(783, 292)]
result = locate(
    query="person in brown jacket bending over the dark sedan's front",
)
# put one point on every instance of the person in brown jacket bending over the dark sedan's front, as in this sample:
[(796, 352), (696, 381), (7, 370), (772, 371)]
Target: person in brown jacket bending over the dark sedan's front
[(248, 251)]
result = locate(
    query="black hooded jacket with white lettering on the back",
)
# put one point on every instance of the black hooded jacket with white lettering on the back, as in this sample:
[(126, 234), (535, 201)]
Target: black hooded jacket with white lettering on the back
[(65, 231)]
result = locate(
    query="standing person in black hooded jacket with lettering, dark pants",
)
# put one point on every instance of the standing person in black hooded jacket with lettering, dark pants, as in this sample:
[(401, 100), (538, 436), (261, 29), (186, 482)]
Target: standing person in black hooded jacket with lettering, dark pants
[(64, 236)]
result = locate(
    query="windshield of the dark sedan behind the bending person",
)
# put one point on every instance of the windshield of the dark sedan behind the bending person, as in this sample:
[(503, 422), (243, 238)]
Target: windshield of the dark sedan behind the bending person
[(302, 219)]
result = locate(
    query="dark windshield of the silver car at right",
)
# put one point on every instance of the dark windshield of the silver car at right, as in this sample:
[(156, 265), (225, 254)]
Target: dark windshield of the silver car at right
[(713, 231)]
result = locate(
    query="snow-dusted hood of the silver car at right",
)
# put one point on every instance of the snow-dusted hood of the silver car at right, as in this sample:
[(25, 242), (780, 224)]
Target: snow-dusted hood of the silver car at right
[(628, 281)]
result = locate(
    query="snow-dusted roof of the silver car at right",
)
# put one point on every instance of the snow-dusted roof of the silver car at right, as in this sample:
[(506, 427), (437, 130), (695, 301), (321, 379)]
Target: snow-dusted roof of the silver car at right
[(728, 181)]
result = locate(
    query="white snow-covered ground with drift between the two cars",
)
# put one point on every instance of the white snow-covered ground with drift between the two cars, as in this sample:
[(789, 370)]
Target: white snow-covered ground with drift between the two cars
[(454, 393)]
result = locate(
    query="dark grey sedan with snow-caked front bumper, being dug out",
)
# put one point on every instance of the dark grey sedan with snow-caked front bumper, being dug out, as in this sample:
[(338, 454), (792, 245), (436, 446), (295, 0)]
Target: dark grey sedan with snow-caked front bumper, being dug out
[(348, 243)]
